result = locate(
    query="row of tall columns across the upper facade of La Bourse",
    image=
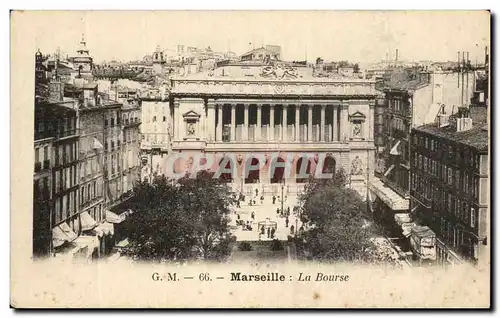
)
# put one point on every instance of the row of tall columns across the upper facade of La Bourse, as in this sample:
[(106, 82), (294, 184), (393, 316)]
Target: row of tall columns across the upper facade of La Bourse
[(222, 121)]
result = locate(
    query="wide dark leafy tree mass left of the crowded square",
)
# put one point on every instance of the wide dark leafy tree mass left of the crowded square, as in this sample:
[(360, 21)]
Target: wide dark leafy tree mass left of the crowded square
[(183, 220)]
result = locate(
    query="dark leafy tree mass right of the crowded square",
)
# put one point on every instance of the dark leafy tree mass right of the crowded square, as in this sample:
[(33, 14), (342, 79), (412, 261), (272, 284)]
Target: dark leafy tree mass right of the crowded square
[(336, 221)]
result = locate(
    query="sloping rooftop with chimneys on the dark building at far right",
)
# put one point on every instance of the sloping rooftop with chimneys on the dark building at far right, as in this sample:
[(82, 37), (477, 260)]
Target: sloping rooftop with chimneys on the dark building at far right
[(476, 137)]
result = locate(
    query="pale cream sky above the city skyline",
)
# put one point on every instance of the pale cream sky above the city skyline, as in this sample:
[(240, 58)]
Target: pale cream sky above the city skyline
[(361, 36)]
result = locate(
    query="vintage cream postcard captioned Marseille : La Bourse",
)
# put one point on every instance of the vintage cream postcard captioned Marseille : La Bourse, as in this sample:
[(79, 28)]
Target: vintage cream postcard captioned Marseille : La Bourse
[(250, 159)]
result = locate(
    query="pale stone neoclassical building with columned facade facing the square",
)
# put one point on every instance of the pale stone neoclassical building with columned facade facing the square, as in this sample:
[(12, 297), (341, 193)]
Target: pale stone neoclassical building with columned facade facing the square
[(281, 108)]
